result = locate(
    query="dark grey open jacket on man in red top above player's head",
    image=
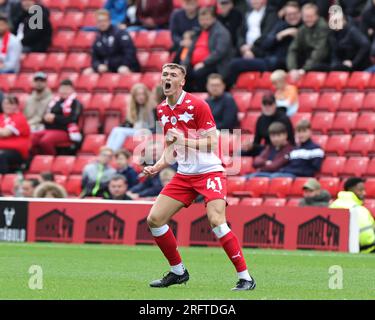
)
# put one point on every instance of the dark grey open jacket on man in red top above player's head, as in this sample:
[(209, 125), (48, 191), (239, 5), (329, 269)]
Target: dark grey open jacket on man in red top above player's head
[(220, 45)]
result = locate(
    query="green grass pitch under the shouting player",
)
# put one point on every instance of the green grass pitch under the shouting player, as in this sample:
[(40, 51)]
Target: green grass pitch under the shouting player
[(122, 272)]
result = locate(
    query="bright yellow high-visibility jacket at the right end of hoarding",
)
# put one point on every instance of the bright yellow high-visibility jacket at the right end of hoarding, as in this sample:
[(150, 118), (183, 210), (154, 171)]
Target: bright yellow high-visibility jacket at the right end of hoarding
[(366, 222)]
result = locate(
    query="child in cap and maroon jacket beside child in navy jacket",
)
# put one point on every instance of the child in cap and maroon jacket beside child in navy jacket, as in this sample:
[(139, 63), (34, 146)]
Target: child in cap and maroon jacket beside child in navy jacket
[(274, 156)]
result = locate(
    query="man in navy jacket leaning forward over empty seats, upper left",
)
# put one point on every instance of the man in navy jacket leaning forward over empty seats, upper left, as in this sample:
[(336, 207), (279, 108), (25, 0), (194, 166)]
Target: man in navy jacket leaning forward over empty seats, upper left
[(113, 49)]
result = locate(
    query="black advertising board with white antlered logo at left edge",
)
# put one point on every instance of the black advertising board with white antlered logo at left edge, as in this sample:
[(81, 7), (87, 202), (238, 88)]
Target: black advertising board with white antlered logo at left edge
[(13, 221)]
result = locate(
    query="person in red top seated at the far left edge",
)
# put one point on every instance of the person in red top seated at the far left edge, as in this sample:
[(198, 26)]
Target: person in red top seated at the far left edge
[(14, 135)]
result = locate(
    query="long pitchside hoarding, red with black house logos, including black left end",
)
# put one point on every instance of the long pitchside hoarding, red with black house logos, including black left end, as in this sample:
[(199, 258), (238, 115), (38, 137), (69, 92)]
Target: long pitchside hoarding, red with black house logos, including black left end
[(124, 222)]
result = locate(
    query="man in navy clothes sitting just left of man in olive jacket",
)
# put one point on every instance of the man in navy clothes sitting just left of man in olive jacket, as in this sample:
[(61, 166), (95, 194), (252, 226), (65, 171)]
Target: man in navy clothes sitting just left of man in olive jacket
[(269, 50)]
